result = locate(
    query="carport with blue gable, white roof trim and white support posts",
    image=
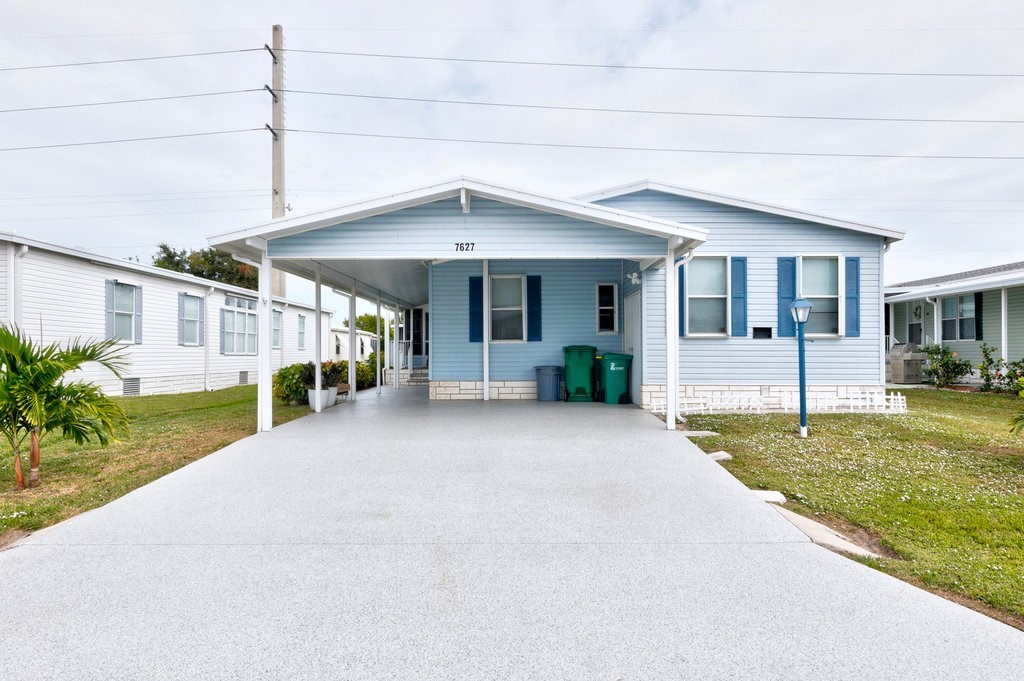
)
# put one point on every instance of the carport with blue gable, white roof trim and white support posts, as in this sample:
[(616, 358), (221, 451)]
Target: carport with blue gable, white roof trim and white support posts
[(385, 250)]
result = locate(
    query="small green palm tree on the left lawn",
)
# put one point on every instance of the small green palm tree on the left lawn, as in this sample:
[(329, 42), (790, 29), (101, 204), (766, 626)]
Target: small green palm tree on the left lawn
[(35, 399)]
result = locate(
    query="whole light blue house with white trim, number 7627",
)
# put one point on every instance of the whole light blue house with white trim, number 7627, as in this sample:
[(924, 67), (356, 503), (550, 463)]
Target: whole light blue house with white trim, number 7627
[(495, 281)]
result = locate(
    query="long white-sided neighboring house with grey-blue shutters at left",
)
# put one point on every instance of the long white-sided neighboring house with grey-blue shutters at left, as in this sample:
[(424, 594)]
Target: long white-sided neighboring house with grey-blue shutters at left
[(182, 333)]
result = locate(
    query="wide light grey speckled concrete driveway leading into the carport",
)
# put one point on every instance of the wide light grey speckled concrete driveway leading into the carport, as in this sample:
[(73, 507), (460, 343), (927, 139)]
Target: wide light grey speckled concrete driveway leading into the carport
[(399, 539)]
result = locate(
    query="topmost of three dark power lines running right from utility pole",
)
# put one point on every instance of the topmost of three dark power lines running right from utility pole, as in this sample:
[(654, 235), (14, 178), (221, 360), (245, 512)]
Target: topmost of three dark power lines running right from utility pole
[(578, 65)]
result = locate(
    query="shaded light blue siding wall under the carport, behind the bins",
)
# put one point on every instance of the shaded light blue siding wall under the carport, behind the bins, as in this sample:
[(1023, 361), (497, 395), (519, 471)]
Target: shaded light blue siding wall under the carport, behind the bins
[(569, 309)]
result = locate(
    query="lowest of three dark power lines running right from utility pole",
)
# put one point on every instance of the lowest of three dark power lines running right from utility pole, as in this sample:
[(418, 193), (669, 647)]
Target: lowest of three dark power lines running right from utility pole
[(653, 149)]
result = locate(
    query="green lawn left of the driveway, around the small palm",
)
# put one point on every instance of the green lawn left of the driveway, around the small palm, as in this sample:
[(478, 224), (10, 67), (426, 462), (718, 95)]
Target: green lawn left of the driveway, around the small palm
[(167, 433)]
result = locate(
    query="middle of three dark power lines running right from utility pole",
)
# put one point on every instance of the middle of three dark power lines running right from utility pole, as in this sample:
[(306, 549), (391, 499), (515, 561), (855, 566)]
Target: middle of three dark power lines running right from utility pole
[(644, 111)]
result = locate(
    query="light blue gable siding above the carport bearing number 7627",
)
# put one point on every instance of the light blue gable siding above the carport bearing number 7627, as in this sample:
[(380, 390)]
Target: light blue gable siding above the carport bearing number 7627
[(496, 230)]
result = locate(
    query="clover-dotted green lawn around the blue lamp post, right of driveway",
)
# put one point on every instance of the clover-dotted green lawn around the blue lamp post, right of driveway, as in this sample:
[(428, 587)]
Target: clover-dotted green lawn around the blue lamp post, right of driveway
[(943, 488)]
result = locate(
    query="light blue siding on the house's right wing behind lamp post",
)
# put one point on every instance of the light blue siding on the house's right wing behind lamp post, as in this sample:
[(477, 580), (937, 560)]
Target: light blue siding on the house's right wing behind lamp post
[(762, 239)]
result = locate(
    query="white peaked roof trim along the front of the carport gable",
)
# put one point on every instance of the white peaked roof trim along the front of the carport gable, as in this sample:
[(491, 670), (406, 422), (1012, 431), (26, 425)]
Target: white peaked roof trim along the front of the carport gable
[(462, 188)]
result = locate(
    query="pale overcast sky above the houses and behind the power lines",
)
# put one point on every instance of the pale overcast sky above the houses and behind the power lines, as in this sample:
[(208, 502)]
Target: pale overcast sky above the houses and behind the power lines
[(122, 200)]
